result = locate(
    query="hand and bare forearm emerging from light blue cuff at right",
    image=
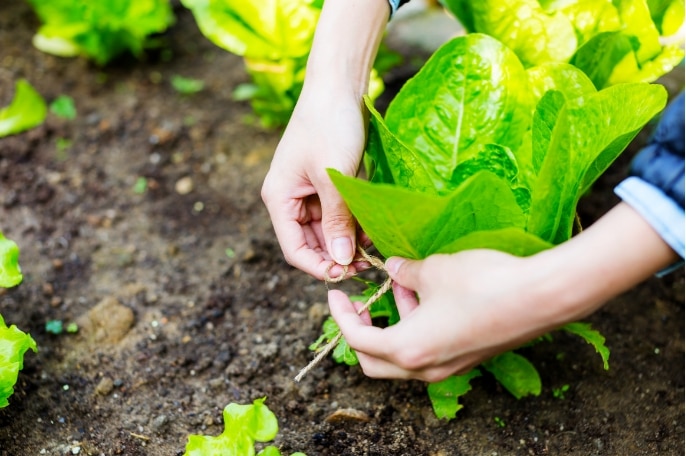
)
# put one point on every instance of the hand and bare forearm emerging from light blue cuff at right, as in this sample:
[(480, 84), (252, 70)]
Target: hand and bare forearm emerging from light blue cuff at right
[(475, 304)]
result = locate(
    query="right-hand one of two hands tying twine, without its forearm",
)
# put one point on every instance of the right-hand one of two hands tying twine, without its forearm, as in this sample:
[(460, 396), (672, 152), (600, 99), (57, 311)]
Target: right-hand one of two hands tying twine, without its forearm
[(473, 306)]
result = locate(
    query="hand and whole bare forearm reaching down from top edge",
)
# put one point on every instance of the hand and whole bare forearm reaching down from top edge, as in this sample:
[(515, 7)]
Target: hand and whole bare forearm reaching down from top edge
[(327, 130)]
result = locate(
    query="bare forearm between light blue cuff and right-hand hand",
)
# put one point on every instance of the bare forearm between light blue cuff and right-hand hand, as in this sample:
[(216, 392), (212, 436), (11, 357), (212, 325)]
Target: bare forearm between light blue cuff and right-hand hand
[(613, 255)]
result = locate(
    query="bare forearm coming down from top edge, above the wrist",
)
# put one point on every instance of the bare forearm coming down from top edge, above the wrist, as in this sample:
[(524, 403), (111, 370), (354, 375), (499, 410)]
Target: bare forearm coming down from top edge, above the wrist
[(345, 44)]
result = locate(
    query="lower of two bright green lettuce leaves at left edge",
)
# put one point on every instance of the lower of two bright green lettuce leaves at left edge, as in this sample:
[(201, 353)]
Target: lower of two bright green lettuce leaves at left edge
[(13, 344)]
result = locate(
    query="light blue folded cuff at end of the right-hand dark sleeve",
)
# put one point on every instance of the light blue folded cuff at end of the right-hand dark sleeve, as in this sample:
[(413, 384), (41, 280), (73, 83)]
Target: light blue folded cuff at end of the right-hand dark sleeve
[(660, 211)]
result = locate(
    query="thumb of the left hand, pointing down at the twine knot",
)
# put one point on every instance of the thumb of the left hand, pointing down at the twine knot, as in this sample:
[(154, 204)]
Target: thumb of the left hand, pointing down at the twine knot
[(338, 227)]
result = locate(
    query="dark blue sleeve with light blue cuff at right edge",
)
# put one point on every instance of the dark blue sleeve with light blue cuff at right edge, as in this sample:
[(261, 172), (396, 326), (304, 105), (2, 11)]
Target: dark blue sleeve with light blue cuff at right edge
[(656, 187)]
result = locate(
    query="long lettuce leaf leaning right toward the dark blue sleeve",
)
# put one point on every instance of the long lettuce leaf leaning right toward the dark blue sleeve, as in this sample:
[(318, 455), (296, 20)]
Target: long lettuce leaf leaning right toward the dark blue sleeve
[(584, 141)]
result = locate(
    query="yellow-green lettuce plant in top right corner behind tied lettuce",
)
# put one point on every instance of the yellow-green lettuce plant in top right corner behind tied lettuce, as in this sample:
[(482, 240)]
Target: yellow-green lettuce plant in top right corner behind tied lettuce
[(612, 41)]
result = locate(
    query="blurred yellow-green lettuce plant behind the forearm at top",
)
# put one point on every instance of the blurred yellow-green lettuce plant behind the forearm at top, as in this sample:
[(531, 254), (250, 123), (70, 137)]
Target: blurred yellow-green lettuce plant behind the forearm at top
[(274, 38)]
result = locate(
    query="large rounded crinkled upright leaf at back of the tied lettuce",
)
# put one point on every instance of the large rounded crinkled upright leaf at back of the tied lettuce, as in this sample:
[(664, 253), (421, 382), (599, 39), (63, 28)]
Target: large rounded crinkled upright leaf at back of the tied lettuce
[(473, 91)]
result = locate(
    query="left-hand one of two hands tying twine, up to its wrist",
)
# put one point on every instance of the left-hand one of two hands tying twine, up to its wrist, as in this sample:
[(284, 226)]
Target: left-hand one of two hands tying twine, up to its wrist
[(312, 222)]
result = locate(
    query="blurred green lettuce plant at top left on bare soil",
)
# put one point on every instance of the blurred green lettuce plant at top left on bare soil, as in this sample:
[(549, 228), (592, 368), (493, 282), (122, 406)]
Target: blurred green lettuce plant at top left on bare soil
[(99, 30)]
